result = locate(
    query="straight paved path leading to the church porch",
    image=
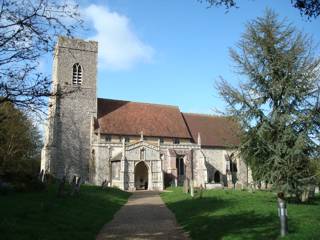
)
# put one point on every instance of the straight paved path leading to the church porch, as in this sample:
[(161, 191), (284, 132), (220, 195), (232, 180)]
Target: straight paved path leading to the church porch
[(145, 216)]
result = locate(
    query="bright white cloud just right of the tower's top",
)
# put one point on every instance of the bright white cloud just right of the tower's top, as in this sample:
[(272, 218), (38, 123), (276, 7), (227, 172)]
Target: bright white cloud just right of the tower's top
[(119, 46)]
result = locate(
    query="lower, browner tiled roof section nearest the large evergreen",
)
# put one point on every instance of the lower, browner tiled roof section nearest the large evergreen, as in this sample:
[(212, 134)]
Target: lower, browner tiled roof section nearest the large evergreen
[(215, 131)]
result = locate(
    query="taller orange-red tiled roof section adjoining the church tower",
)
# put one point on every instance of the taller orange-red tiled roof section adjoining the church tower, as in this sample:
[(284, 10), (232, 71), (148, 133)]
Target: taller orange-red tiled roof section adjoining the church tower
[(130, 118)]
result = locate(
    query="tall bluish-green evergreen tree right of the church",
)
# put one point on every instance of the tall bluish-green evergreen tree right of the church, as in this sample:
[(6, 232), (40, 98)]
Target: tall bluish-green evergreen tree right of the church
[(276, 104)]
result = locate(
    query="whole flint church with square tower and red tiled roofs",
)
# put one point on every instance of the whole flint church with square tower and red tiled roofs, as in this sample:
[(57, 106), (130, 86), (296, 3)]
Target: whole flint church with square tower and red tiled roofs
[(131, 145)]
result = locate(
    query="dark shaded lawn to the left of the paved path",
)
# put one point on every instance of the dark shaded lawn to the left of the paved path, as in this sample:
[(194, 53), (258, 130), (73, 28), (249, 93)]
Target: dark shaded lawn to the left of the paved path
[(42, 215)]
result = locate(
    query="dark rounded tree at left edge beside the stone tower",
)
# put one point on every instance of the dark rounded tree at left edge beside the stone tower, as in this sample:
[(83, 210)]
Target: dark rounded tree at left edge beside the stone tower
[(20, 144)]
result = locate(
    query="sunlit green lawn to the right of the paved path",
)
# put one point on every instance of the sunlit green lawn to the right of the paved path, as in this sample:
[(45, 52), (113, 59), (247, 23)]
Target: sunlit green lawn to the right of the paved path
[(234, 214)]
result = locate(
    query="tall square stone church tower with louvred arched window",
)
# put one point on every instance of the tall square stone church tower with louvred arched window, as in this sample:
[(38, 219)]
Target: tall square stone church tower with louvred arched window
[(68, 134)]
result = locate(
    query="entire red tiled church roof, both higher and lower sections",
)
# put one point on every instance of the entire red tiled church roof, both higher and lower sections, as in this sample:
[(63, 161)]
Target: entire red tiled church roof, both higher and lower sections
[(130, 118)]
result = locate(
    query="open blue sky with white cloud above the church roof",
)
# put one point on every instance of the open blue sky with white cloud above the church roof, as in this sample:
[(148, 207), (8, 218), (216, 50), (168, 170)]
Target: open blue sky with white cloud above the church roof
[(172, 51)]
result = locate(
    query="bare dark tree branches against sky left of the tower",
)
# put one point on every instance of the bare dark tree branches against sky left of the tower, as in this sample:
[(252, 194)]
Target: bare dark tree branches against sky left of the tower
[(28, 30)]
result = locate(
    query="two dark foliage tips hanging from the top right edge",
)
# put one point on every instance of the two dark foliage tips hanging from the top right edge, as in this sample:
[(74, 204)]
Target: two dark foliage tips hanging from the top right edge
[(309, 8)]
